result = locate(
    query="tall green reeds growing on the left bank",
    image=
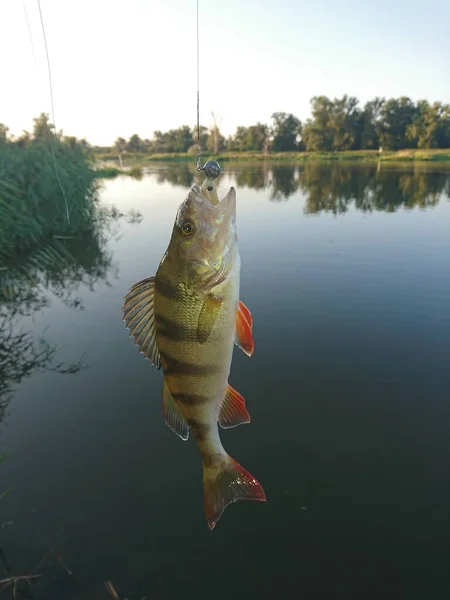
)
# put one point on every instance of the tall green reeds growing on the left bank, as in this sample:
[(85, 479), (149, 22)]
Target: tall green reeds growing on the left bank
[(32, 205)]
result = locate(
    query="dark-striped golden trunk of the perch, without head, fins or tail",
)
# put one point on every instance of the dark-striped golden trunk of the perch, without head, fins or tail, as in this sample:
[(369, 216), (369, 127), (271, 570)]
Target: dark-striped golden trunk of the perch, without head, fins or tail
[(195, 334)]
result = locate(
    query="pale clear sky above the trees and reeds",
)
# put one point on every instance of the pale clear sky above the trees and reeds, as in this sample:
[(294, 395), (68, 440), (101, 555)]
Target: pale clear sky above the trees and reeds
[(120, 68)]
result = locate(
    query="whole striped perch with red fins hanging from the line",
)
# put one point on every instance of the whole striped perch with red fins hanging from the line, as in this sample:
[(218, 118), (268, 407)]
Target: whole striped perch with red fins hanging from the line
[(186, 320)]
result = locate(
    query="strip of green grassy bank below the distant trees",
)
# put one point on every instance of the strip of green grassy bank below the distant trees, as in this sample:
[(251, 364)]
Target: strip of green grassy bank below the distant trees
[(141, 159)]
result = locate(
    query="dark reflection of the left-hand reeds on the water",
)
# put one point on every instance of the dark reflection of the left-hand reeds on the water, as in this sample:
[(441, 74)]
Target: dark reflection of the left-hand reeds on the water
[(57, 269)]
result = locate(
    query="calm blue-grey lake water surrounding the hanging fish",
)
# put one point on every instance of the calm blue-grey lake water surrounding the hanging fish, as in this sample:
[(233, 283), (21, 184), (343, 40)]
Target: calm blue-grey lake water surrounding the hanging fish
[(347, 274)]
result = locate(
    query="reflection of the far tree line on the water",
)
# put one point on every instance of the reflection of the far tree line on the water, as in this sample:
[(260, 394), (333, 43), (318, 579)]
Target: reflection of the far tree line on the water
[(330, 187)]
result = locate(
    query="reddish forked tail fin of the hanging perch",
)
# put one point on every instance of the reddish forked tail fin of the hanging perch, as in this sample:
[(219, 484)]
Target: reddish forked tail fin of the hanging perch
[(226, 481)]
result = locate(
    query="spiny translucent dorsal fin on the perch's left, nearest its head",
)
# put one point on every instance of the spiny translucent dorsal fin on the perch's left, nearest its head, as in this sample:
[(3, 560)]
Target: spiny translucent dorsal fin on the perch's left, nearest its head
[(139, 317)]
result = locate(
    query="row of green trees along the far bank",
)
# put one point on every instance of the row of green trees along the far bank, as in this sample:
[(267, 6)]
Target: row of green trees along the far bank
[(334, 125)]
